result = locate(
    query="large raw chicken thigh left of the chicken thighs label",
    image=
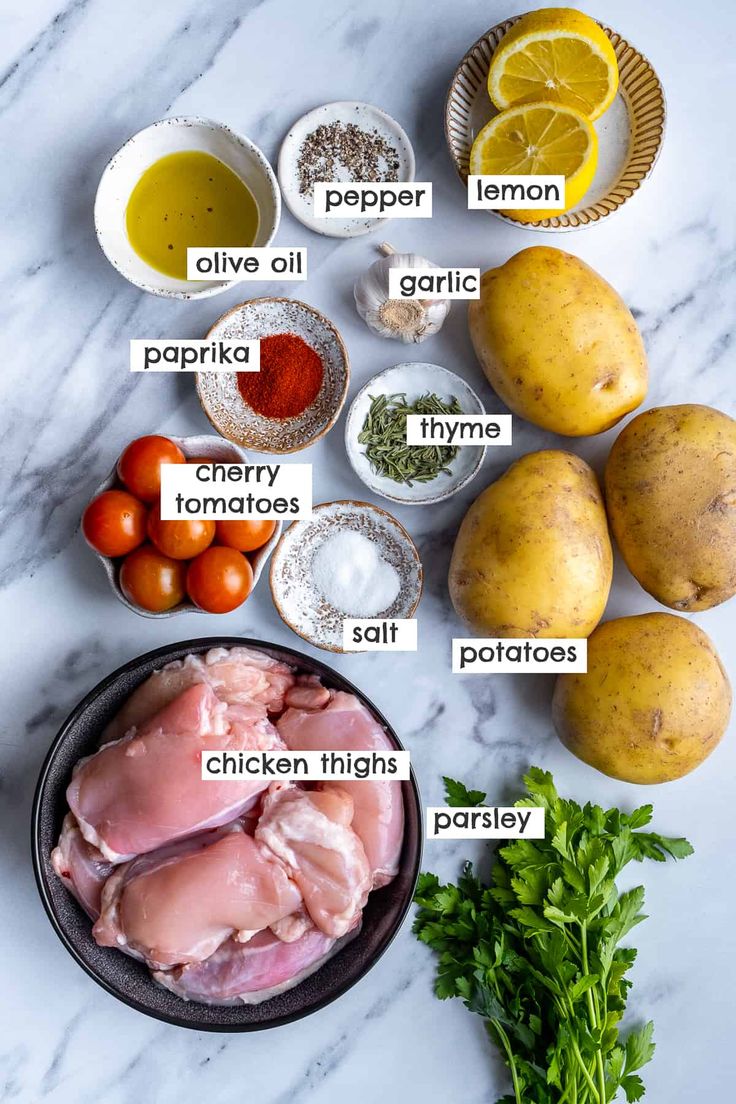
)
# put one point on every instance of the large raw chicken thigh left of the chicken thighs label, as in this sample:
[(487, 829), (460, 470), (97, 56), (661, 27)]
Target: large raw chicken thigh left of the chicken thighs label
[(145, 791)]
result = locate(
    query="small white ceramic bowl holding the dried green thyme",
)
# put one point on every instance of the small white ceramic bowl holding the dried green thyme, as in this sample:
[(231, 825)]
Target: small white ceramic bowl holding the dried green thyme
[(414, 380)]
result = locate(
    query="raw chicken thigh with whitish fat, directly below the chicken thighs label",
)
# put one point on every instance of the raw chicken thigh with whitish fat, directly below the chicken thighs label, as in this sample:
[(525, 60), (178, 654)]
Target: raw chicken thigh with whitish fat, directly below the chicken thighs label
[(311, 833)]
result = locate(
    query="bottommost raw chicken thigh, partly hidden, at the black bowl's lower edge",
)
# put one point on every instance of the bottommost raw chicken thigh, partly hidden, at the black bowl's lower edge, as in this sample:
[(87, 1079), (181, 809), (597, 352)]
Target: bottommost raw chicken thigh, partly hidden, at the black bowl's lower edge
[(249, 973)]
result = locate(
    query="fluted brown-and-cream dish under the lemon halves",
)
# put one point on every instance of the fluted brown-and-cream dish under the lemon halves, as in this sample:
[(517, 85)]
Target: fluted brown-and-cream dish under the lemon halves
[(631, 133)]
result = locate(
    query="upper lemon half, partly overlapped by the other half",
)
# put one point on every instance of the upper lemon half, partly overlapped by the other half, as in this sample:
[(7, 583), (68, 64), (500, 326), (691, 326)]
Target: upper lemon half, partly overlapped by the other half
[(558, 56)]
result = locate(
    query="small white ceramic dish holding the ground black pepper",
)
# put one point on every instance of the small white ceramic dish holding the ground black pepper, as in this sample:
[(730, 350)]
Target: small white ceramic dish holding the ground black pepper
[(345, 111)]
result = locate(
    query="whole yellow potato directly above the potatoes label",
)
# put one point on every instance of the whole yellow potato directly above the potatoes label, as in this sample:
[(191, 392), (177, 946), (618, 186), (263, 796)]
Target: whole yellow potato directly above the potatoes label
[(534, 557)]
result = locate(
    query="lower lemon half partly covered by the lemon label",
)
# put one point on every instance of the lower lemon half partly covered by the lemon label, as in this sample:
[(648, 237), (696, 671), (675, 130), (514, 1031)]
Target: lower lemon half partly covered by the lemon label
[(539, 140)]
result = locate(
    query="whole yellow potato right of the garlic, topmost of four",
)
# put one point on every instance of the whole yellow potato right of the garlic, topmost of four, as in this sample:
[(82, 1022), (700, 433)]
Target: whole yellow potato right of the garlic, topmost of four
[(558, 344)]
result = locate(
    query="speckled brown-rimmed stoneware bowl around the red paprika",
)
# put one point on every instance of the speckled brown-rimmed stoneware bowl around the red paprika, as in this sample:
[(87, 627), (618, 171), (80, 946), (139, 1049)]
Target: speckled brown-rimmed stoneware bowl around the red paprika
[(223, 404)]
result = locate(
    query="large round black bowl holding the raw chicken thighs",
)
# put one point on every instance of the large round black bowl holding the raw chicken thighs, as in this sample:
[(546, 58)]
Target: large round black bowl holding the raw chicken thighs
[(129, 980)]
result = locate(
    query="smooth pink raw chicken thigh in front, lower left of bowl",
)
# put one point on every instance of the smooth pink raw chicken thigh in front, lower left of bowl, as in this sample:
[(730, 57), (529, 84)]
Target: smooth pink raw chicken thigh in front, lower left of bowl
[(180, 905)]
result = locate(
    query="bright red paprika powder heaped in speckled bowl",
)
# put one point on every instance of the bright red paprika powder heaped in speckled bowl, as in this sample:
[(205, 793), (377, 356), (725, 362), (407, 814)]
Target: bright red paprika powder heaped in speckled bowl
[(290, 379)]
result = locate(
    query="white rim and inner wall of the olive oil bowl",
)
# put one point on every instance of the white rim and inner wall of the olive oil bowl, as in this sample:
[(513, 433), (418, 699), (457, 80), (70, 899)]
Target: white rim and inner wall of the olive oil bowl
[(219, 286)]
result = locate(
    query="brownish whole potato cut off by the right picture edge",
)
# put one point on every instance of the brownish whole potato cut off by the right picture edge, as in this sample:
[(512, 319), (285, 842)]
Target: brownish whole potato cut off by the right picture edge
[(671, 500)]
